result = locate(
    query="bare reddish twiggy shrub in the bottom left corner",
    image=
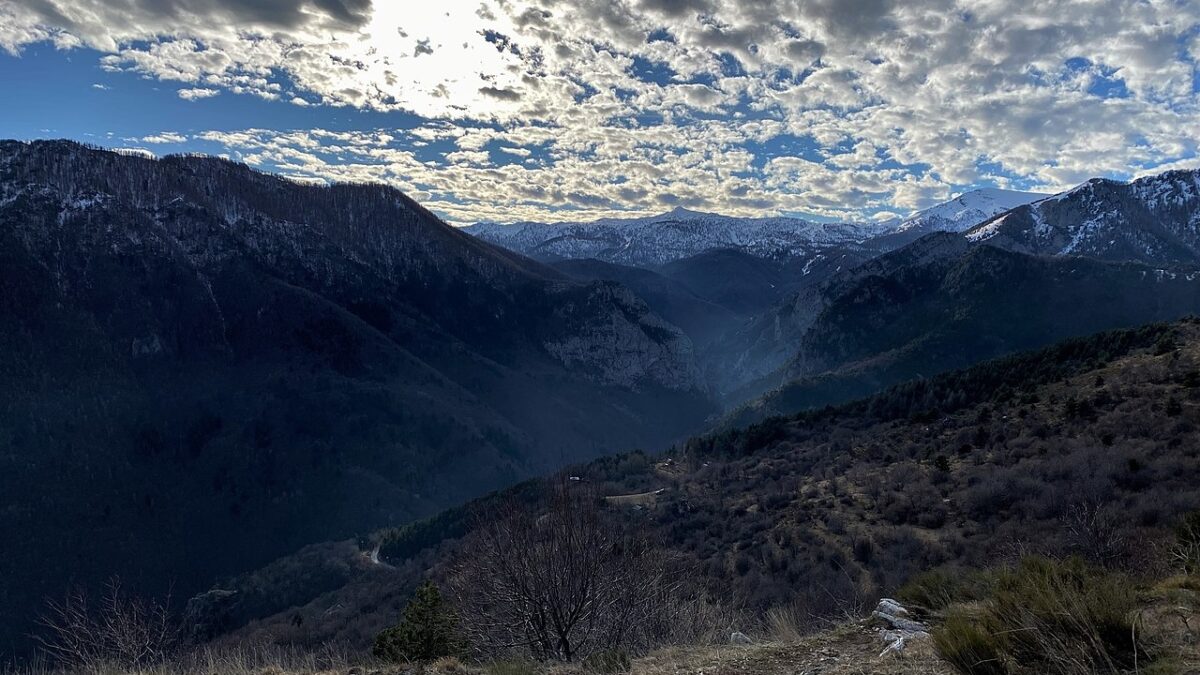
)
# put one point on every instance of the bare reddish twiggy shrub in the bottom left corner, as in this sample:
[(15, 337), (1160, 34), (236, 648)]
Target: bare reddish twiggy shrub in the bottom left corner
[(121, 631)]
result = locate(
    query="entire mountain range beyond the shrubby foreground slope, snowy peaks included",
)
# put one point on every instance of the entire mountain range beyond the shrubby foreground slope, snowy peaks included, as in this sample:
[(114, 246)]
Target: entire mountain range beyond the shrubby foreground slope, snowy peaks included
[(206, 368)]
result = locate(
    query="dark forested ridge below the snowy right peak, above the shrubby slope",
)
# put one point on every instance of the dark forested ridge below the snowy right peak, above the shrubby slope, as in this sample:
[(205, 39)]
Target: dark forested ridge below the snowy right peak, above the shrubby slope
[(934, 306)]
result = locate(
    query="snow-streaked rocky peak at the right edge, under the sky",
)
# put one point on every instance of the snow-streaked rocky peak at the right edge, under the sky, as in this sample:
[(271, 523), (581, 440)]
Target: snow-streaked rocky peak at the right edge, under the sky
[(1154, 220)]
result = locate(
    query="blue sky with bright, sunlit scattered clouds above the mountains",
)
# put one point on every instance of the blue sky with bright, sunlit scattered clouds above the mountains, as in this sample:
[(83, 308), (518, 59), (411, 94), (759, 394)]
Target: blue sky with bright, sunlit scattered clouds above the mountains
[(549, 110)]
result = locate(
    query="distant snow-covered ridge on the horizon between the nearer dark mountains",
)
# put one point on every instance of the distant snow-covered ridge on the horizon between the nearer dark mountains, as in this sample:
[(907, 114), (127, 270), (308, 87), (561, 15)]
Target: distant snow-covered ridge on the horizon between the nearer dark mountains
[(673, 236)]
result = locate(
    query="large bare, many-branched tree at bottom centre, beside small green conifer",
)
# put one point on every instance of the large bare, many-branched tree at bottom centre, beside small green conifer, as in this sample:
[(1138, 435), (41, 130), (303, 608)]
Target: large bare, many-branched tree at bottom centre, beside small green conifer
[(563, 583)]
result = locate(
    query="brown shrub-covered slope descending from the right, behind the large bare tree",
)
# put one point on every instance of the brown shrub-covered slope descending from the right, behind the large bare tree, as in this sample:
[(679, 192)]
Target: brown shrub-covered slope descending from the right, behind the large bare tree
[(1088, 447)]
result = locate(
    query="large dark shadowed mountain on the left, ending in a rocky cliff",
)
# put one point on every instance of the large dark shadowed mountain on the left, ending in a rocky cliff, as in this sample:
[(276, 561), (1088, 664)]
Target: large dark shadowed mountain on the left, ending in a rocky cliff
[(203, 367)]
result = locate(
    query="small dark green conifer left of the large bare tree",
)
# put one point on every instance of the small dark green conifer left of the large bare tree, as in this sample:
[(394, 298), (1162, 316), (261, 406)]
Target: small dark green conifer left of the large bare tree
[(428, 631)]
